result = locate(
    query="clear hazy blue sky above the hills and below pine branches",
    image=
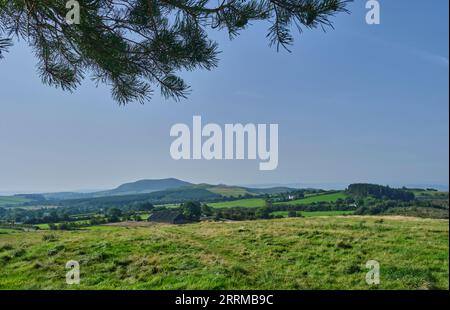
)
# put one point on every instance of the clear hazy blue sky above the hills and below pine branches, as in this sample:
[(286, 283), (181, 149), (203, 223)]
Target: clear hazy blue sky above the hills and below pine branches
[(359, 103)]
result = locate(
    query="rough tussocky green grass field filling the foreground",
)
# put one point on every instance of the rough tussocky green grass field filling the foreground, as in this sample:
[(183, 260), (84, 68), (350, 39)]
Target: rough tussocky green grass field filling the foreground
[(295, 253)]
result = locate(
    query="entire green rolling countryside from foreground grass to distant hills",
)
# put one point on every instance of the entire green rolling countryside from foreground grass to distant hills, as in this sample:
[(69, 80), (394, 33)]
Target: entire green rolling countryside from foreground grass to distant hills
[(171, 234)]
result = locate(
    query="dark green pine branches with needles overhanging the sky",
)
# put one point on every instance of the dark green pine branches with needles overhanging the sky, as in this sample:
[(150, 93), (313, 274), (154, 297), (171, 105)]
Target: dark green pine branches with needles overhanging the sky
[(135, 46)]
